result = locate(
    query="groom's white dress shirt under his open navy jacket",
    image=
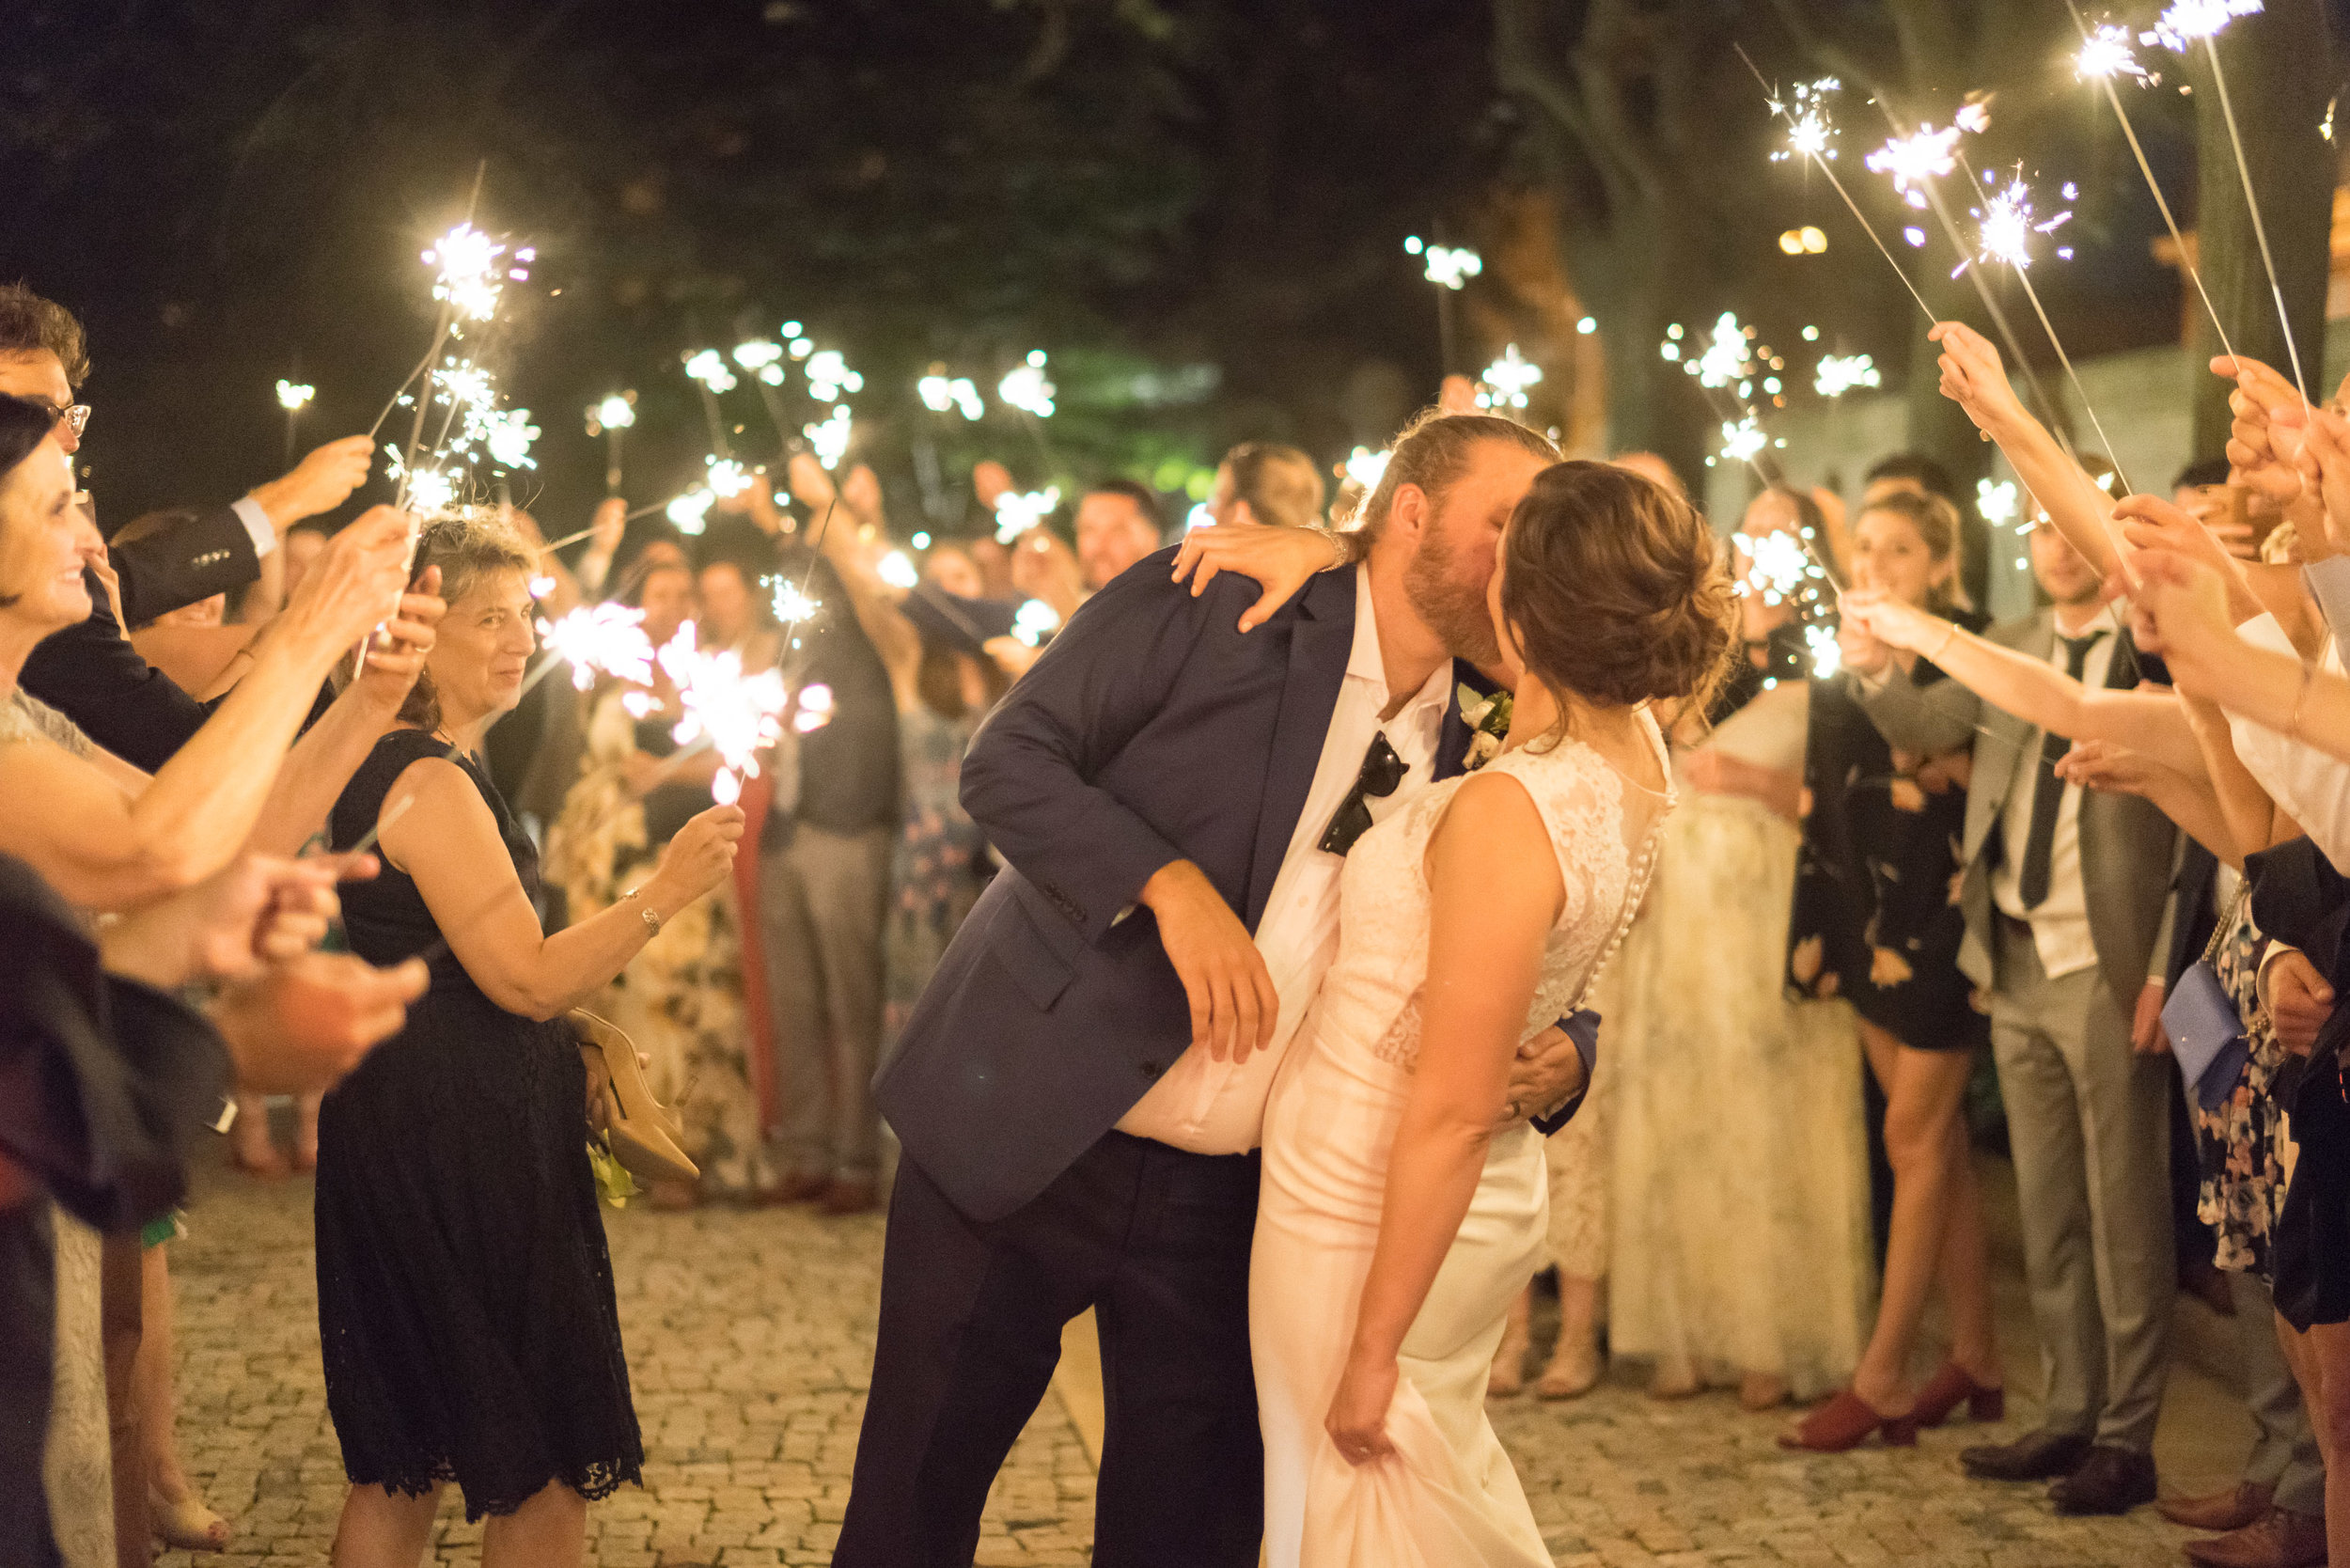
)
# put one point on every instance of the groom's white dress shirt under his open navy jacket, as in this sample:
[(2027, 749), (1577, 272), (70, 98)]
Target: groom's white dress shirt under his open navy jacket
[(1218, 1108)]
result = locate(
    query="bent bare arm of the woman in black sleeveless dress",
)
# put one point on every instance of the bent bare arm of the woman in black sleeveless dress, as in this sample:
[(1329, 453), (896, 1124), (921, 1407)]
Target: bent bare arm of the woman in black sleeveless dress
[(450, 845)]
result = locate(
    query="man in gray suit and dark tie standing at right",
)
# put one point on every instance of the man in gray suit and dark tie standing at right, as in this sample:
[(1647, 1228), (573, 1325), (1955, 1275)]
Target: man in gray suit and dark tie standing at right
[(2067, 899)]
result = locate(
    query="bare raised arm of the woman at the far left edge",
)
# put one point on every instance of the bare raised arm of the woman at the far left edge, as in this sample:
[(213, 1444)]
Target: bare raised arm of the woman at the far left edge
[(107, 850)]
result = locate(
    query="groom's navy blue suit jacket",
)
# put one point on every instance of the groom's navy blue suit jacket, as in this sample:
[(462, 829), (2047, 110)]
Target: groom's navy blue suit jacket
[(1150, 732)]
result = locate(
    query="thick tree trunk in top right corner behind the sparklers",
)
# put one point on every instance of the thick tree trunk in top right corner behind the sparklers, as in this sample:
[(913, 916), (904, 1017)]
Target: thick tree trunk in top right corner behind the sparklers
[(2281, 74)]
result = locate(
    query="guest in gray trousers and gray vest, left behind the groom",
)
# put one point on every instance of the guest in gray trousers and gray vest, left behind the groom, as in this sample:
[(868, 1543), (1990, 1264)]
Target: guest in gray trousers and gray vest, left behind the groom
[(824, 892)]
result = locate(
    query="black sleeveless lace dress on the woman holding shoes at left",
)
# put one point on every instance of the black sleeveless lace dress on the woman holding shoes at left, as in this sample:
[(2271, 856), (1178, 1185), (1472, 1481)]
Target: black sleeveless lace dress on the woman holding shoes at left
[(464, 1287)]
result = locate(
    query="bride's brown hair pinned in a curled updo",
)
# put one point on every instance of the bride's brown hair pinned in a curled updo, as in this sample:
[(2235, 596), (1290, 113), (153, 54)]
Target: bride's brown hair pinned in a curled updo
[(1618, 589)]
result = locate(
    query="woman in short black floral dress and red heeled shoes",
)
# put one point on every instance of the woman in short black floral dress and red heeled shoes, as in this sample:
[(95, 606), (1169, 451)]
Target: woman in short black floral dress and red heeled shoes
[(1879, 925)]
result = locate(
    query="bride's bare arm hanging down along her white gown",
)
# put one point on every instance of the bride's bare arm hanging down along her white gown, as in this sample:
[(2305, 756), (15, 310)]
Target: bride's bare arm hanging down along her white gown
[(1493, 899)]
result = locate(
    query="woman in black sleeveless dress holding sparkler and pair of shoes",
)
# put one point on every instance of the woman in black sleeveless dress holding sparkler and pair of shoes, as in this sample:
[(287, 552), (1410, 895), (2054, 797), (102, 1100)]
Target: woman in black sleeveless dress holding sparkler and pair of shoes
[(464, 1285)]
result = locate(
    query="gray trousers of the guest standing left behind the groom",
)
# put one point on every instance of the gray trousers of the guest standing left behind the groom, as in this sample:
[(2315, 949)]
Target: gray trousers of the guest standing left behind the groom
[(821, 906)]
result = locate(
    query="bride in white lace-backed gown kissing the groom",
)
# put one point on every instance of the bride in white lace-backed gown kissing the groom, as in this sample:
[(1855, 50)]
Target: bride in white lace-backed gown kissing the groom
[(1399, 1219)]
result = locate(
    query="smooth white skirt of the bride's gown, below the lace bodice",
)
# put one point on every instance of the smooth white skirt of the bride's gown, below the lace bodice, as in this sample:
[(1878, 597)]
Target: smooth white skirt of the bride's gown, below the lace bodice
[(1449, 1494)]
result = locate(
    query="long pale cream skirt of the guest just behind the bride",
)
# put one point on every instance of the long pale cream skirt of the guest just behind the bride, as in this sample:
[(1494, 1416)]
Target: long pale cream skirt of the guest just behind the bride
[(1740, 1153)]
